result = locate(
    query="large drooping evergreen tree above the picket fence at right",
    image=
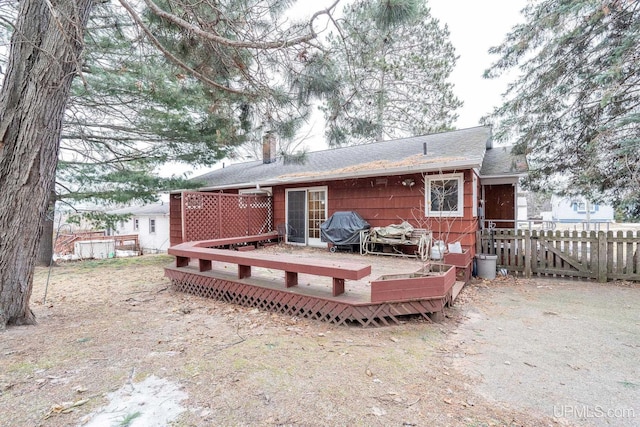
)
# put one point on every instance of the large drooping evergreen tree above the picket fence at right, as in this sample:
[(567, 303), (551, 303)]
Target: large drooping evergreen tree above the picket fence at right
[(574, 109)]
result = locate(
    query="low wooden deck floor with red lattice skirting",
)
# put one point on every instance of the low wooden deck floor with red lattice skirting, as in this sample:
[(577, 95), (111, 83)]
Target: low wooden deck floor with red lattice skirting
[(312, 297)]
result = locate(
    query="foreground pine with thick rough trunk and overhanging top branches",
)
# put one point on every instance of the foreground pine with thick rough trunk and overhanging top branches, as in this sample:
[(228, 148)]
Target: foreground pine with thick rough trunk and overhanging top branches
[(45, 56)]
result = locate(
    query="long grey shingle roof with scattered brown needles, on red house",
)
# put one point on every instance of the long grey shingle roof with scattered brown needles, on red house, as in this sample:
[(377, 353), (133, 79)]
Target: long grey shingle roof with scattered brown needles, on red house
[(459, 149)]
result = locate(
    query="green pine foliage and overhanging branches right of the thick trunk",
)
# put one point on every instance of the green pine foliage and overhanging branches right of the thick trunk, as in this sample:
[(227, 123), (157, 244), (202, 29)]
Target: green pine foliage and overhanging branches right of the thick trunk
[(133, 112)]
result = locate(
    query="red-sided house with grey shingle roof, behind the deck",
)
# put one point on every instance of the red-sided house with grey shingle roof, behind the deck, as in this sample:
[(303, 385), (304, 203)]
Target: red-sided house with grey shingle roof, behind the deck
[(446, 182)]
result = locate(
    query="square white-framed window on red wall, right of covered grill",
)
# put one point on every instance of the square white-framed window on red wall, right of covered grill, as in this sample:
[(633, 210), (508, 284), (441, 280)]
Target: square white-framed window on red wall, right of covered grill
[(444, 195)]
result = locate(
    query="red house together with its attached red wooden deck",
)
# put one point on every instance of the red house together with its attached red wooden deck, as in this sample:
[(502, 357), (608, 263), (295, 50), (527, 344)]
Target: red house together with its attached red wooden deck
[(446, 183)]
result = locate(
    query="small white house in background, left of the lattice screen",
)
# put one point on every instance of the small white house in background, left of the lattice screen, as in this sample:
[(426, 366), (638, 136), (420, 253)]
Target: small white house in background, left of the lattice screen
[(150, 223)]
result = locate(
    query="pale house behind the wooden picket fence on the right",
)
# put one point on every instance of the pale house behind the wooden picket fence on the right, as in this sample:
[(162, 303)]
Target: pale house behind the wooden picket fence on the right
[(579, 209)]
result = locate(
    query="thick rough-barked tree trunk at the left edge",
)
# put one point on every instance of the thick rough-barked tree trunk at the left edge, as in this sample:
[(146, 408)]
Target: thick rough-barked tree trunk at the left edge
[(43, 59)]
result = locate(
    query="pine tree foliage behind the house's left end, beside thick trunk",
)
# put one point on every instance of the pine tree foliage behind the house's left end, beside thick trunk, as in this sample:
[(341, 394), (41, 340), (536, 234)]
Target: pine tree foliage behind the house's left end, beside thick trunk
[(133, 112)]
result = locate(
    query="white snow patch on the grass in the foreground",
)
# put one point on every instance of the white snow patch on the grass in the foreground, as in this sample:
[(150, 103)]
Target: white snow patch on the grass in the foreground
[(153, 402)]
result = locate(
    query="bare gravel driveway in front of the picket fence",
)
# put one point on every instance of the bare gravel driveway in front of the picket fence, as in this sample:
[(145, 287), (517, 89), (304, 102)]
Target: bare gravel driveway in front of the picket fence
[(565, 349)]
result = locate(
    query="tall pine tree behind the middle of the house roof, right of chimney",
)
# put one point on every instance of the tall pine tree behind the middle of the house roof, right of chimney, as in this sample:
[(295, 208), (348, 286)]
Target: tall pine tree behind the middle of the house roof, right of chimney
[(390, 75)]
